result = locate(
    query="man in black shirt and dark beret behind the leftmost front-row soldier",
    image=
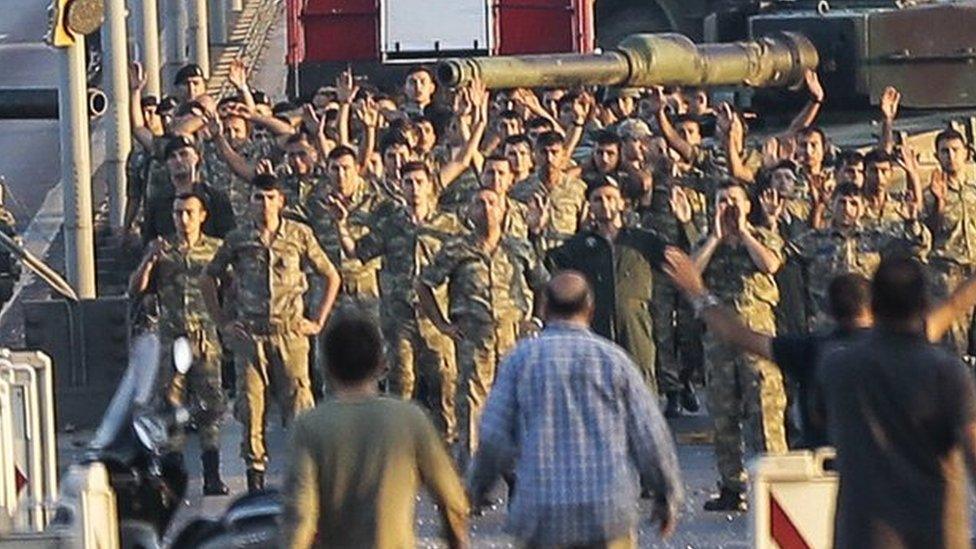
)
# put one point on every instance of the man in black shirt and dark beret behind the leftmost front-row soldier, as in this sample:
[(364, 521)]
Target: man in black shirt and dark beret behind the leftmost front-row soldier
[(183, 165)]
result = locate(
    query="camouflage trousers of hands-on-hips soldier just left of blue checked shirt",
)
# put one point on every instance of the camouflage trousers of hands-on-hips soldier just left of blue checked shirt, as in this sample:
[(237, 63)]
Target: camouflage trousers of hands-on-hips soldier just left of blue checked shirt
[(479, 352)]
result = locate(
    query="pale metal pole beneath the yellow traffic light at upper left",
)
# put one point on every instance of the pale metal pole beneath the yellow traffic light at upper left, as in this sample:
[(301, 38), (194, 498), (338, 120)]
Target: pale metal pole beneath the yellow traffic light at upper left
[(79, 242)]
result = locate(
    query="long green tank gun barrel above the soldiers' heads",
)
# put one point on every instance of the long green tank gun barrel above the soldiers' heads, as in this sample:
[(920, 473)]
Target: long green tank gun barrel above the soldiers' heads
[(646, 60)]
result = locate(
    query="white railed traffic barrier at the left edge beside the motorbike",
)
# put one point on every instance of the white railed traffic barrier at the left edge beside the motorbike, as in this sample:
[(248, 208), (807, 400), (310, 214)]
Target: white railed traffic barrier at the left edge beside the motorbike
[(28, 465)]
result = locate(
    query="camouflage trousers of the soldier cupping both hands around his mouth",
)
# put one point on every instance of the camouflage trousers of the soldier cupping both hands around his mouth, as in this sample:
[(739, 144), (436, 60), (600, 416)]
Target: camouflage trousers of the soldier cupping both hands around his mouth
[(743, 389)]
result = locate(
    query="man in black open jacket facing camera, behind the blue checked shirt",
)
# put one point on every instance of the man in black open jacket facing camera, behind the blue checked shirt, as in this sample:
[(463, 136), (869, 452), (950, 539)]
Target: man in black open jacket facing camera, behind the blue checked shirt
[(618, 262)]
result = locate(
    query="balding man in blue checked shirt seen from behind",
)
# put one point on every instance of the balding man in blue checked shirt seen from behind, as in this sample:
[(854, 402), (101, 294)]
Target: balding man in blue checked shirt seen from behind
[(571, 413)]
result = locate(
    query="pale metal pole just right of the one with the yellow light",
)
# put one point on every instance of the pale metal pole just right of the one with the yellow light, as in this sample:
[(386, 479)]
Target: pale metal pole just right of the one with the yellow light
[(118, 136)]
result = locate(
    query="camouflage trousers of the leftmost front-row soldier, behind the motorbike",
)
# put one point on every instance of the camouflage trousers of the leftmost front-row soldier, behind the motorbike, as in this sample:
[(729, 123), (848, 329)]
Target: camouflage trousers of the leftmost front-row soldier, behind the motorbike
[(199, 389)]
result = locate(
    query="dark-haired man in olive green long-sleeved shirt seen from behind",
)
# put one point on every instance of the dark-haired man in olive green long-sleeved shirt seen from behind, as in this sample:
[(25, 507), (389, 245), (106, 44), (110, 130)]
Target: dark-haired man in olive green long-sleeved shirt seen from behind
[(357, 460)]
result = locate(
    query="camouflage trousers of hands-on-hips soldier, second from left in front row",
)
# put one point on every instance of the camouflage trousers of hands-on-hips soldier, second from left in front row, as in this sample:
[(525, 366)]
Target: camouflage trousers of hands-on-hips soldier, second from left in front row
[(275, 364)]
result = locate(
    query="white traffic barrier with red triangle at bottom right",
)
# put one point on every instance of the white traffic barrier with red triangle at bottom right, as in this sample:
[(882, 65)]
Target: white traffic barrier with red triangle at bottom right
[(793, 500)]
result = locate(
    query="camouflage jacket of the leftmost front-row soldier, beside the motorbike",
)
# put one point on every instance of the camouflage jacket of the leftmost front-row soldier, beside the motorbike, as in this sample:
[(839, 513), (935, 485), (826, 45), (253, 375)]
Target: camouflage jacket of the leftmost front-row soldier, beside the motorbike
[(176, 277)]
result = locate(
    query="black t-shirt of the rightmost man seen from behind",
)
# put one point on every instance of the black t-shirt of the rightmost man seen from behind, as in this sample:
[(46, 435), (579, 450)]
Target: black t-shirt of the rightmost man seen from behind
[(896, 409)]
